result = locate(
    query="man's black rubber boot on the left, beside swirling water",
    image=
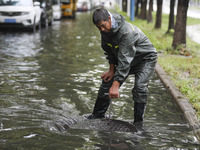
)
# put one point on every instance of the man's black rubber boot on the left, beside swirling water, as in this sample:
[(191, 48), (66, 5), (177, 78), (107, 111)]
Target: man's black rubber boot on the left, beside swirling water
[(100, 108)]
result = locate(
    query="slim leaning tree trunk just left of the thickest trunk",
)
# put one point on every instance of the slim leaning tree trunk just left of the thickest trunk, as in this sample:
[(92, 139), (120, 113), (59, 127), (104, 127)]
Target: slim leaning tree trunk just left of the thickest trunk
[(171, 16)]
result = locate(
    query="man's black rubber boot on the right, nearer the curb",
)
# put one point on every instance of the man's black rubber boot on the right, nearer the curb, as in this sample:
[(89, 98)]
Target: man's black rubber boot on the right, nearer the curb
[(139, 109)]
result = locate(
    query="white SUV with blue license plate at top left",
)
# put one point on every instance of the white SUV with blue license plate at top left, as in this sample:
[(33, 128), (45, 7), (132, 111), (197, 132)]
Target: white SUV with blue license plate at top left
[(20, 13)]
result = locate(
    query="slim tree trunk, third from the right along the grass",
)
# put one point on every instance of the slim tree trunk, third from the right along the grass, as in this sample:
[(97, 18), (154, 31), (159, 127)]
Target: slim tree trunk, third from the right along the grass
[(159, 14)]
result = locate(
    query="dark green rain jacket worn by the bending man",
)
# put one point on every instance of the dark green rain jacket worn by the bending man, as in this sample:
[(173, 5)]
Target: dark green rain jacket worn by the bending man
[(126, 46)]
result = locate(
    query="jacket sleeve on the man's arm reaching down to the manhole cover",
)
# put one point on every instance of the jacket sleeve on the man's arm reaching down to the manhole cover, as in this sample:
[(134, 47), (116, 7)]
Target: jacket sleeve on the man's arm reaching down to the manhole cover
[(126, 54)]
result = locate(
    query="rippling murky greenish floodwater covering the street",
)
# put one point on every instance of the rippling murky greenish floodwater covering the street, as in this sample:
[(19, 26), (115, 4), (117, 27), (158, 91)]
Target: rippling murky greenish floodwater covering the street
[(50, 79)]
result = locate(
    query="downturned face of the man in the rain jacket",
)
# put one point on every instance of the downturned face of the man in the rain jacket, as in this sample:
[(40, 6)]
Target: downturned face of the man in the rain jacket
[(104, 26)]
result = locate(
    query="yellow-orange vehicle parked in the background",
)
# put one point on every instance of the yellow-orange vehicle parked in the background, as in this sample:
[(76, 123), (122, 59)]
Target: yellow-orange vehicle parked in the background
[(68, 8)]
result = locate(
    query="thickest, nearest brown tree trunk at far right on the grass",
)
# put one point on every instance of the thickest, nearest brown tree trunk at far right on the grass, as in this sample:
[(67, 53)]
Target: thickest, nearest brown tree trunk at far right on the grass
[(180, 27)]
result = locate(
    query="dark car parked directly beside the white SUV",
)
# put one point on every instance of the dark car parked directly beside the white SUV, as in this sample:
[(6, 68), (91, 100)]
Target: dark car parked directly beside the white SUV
[(47, 12)]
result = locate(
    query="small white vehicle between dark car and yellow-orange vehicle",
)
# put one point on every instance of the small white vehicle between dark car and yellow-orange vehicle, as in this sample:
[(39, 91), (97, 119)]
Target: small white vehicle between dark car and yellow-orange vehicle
[(57, 12)]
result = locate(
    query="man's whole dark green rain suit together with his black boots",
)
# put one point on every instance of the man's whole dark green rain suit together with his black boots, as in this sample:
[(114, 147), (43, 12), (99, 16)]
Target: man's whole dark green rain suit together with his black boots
[(131, 51)]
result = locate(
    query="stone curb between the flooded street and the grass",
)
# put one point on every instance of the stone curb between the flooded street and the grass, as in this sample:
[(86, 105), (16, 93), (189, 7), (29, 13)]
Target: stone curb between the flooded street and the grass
[(180, 100)]
